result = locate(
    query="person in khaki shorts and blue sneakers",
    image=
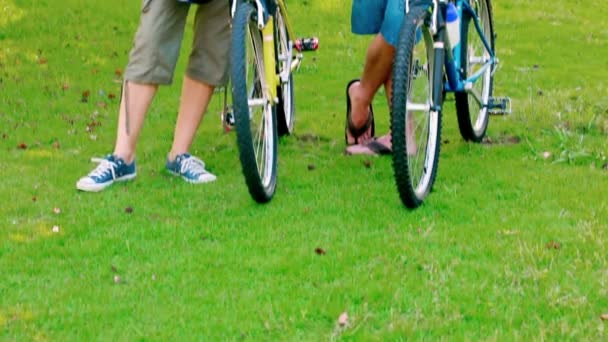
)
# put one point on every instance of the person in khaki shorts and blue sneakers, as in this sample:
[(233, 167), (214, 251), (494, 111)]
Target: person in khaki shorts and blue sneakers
[(152, 63)]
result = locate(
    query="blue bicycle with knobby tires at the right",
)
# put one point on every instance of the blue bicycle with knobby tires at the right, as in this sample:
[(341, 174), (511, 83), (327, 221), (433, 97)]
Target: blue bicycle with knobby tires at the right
[(429, 63)]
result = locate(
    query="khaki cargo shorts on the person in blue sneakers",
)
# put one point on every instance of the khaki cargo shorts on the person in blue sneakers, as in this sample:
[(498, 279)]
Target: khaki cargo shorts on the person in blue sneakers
[(158, 40)]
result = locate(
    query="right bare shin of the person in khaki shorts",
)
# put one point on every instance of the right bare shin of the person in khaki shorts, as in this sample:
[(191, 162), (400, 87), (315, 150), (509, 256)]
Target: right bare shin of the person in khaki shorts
[(194, 101)]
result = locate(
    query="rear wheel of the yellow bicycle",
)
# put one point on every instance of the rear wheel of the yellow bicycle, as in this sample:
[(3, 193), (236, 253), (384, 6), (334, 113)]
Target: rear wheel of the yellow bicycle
[(286, 108)]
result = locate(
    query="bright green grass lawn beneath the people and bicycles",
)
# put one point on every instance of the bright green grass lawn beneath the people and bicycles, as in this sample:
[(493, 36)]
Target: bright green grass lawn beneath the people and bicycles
[(511, 244)]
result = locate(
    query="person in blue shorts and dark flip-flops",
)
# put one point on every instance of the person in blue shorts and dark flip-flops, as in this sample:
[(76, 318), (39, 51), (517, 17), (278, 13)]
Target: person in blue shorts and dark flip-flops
[(381, 18)]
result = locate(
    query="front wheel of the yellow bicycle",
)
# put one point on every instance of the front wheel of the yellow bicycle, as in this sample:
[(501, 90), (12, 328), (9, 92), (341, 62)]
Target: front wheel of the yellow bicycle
[(254, 112)]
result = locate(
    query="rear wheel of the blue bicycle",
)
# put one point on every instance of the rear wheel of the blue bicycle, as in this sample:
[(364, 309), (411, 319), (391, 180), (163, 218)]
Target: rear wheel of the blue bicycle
[(472, 105)]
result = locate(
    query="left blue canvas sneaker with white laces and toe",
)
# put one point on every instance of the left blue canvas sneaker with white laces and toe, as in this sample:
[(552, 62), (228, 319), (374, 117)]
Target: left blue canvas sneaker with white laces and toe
[(110, 169)]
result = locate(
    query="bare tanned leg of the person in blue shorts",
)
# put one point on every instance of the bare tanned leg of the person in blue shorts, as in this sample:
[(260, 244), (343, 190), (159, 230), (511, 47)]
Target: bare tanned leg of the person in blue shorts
[(377, 71)]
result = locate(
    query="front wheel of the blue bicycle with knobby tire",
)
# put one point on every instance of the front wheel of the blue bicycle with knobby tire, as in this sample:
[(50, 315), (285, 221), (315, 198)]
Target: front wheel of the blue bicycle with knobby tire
[(415, 126)]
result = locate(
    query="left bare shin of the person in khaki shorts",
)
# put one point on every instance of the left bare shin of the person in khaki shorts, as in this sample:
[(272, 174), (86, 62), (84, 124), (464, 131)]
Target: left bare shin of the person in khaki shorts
[(139, 97)]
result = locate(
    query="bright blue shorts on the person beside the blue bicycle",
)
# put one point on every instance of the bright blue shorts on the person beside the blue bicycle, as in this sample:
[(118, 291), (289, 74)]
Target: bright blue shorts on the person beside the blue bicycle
[(378, 16)]
